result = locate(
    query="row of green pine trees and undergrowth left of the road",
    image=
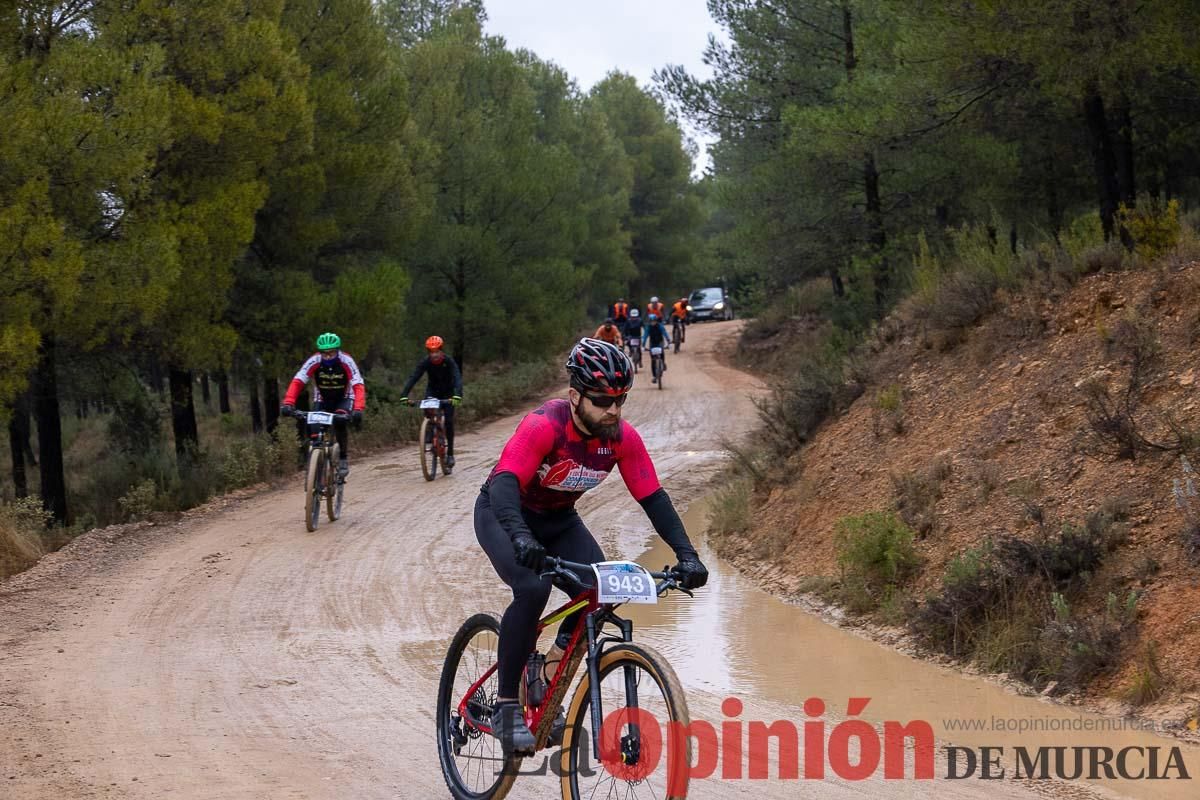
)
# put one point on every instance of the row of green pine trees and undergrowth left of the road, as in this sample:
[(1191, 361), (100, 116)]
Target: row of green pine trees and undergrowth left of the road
[(191, 193)]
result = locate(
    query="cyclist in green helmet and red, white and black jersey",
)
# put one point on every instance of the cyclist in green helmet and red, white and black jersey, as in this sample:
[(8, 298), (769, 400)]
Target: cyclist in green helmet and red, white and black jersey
[(339, 388)]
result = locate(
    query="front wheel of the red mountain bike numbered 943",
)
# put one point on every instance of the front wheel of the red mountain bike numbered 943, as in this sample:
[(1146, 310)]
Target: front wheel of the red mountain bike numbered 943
[(641, 702)]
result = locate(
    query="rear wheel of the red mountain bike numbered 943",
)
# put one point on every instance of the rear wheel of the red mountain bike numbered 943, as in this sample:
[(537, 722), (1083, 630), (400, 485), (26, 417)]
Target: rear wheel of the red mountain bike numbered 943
[(473, 763)]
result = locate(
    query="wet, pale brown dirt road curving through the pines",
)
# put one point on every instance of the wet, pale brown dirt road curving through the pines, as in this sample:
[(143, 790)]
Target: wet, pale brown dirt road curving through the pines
[(235, 655)]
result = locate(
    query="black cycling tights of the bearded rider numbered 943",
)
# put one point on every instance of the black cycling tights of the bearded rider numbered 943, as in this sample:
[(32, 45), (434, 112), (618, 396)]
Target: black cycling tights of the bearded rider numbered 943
[(565, 536)]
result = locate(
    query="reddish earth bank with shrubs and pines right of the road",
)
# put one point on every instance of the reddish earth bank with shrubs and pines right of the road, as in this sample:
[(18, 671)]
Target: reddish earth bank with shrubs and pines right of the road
[(998, 199)]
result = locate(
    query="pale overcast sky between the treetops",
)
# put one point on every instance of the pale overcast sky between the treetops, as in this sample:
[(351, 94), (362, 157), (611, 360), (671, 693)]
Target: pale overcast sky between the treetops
[(591, 38)]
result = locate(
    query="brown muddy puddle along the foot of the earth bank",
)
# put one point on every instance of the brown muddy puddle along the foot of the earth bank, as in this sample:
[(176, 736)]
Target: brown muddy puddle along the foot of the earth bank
[(736, 641)]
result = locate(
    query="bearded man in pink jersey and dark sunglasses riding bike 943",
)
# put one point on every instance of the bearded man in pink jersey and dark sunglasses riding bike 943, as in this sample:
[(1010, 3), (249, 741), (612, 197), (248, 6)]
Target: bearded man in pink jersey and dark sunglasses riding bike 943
[(526, 510)]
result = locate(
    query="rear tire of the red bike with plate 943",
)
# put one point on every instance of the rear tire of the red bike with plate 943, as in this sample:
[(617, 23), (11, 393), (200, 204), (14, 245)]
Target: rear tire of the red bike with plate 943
[(447, 713)]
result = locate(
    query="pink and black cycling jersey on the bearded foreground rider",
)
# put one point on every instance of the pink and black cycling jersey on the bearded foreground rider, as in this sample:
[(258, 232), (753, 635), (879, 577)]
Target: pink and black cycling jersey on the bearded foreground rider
[(555, 465)]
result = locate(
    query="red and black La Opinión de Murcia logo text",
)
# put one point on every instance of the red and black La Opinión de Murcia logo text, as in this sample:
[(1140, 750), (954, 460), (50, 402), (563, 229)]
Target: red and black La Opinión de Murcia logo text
[(853, 750)]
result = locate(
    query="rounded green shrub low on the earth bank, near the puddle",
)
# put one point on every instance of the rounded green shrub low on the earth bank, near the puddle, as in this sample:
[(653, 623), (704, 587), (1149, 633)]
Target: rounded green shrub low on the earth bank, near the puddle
[(877, 556)]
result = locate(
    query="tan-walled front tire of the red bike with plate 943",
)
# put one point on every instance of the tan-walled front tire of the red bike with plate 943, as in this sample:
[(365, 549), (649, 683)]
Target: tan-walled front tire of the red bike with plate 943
[(669, 780)]
